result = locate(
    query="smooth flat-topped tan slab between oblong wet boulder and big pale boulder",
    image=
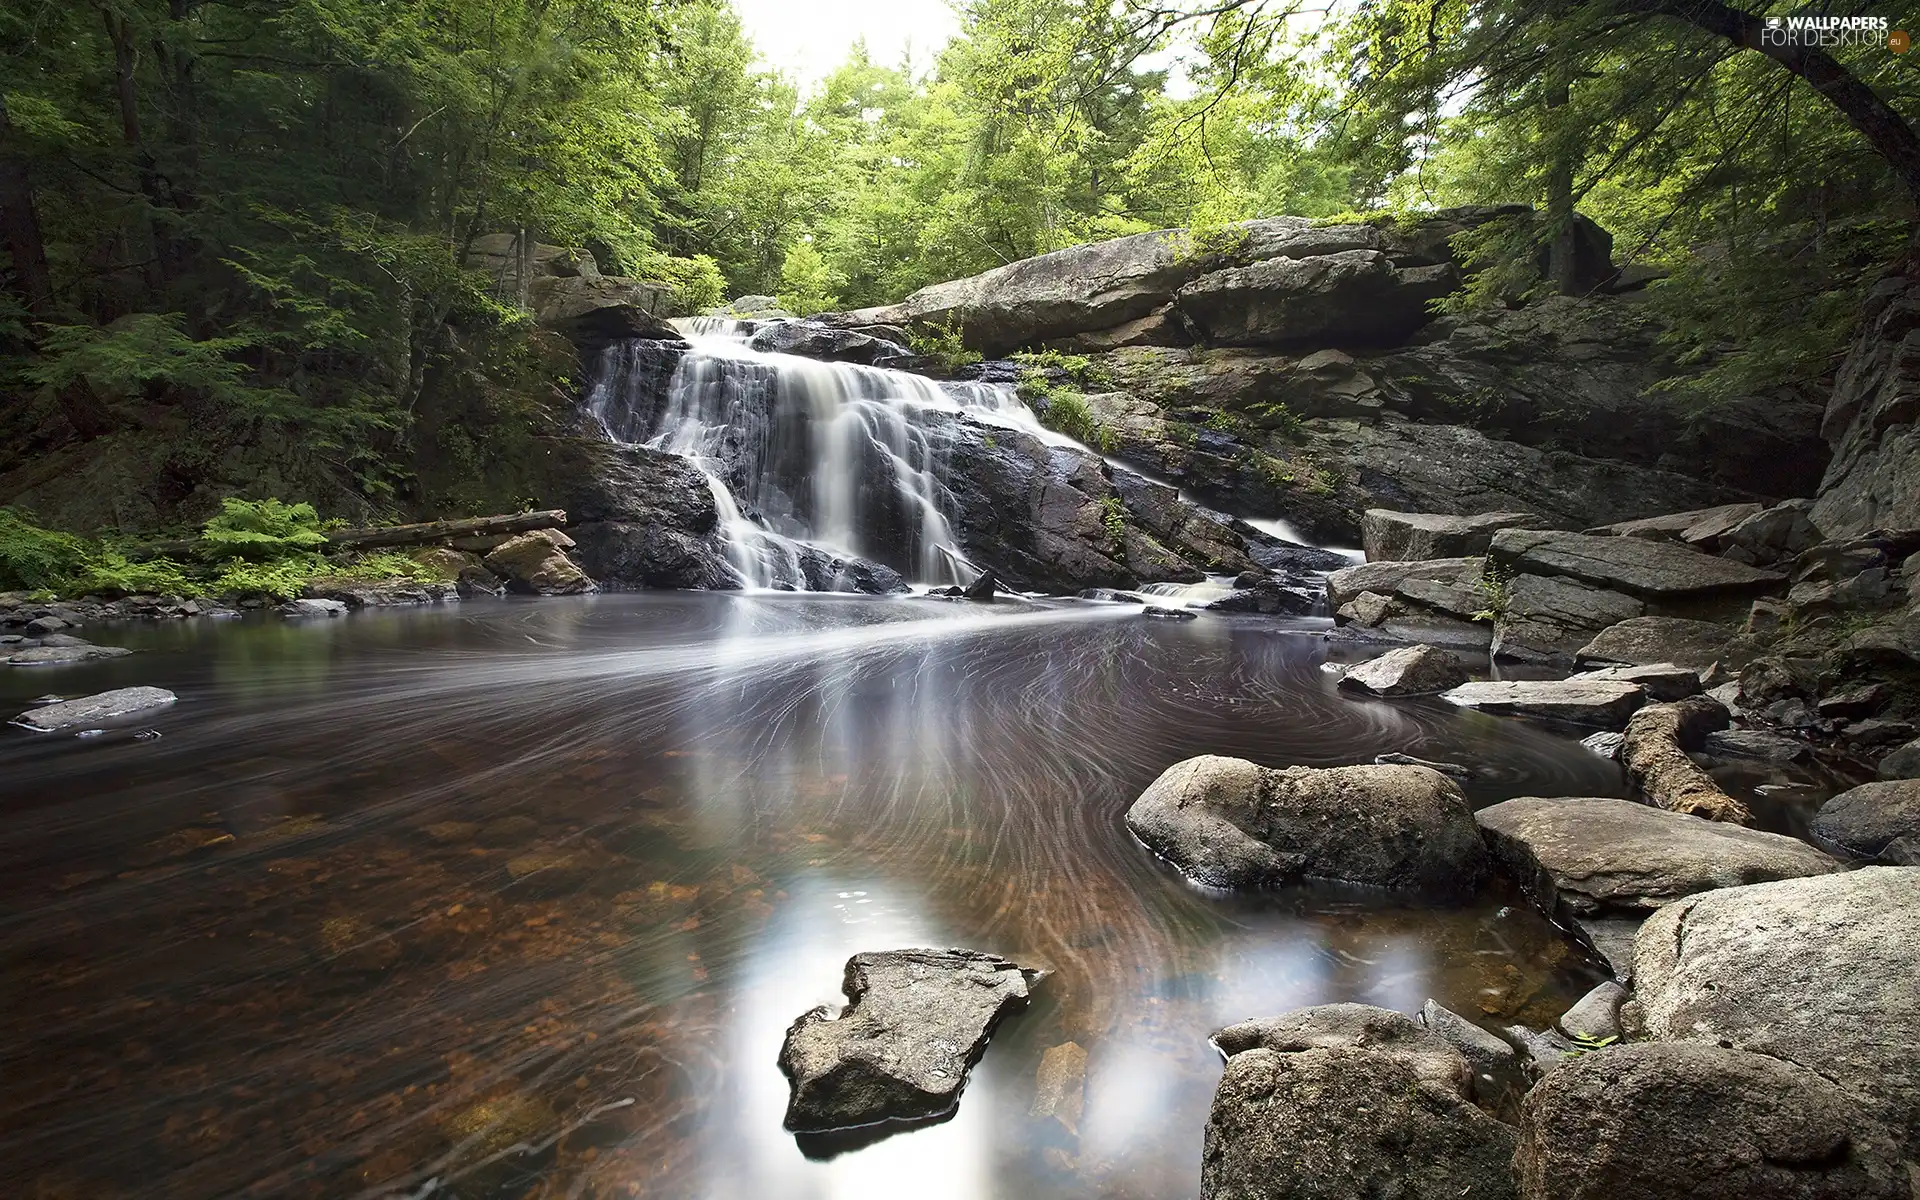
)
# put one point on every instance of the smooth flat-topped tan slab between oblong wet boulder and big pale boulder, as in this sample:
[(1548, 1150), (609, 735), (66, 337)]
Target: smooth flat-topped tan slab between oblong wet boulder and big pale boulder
[(1595, 855)]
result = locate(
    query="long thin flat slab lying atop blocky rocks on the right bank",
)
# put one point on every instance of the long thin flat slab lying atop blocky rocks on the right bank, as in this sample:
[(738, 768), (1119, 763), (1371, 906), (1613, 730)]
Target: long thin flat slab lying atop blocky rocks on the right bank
[(1633, 565)]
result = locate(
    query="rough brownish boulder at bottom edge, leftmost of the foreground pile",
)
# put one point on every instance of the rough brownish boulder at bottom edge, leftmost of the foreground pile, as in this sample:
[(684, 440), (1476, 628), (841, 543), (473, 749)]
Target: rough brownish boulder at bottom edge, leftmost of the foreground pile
[(1349, 1101)]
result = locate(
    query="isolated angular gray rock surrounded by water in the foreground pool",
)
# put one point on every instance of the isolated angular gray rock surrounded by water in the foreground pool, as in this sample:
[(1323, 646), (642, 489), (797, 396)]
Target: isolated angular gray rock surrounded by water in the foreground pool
[(915, 1026)]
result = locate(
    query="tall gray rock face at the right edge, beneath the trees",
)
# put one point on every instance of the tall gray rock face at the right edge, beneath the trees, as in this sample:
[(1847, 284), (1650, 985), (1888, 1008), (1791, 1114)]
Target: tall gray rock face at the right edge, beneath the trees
[(1873, 481)]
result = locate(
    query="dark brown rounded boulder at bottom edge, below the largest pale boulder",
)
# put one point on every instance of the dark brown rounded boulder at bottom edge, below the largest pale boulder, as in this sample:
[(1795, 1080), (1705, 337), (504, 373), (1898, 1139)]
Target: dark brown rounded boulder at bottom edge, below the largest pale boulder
[(1652, 1122)]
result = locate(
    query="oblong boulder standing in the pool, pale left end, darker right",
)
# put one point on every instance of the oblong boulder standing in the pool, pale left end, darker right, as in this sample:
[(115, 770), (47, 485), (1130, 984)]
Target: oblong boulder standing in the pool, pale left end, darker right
[(1228, 823)]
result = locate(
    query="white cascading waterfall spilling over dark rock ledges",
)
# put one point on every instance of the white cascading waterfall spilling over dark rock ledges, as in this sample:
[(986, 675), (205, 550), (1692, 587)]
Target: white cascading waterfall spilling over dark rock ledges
[(804, 454)]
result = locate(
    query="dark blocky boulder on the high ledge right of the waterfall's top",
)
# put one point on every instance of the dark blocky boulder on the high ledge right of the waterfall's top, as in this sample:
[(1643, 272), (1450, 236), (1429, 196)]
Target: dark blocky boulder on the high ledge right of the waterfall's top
[(1343, 299)]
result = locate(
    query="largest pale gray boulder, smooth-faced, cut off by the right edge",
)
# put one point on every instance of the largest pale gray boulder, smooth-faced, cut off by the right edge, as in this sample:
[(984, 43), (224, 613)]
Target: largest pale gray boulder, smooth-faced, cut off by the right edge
[(1823, 972)]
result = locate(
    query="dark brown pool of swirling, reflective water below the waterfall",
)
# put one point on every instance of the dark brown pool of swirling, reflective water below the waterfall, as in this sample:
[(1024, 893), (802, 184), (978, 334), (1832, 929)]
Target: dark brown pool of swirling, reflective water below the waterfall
[(519, 900)]
